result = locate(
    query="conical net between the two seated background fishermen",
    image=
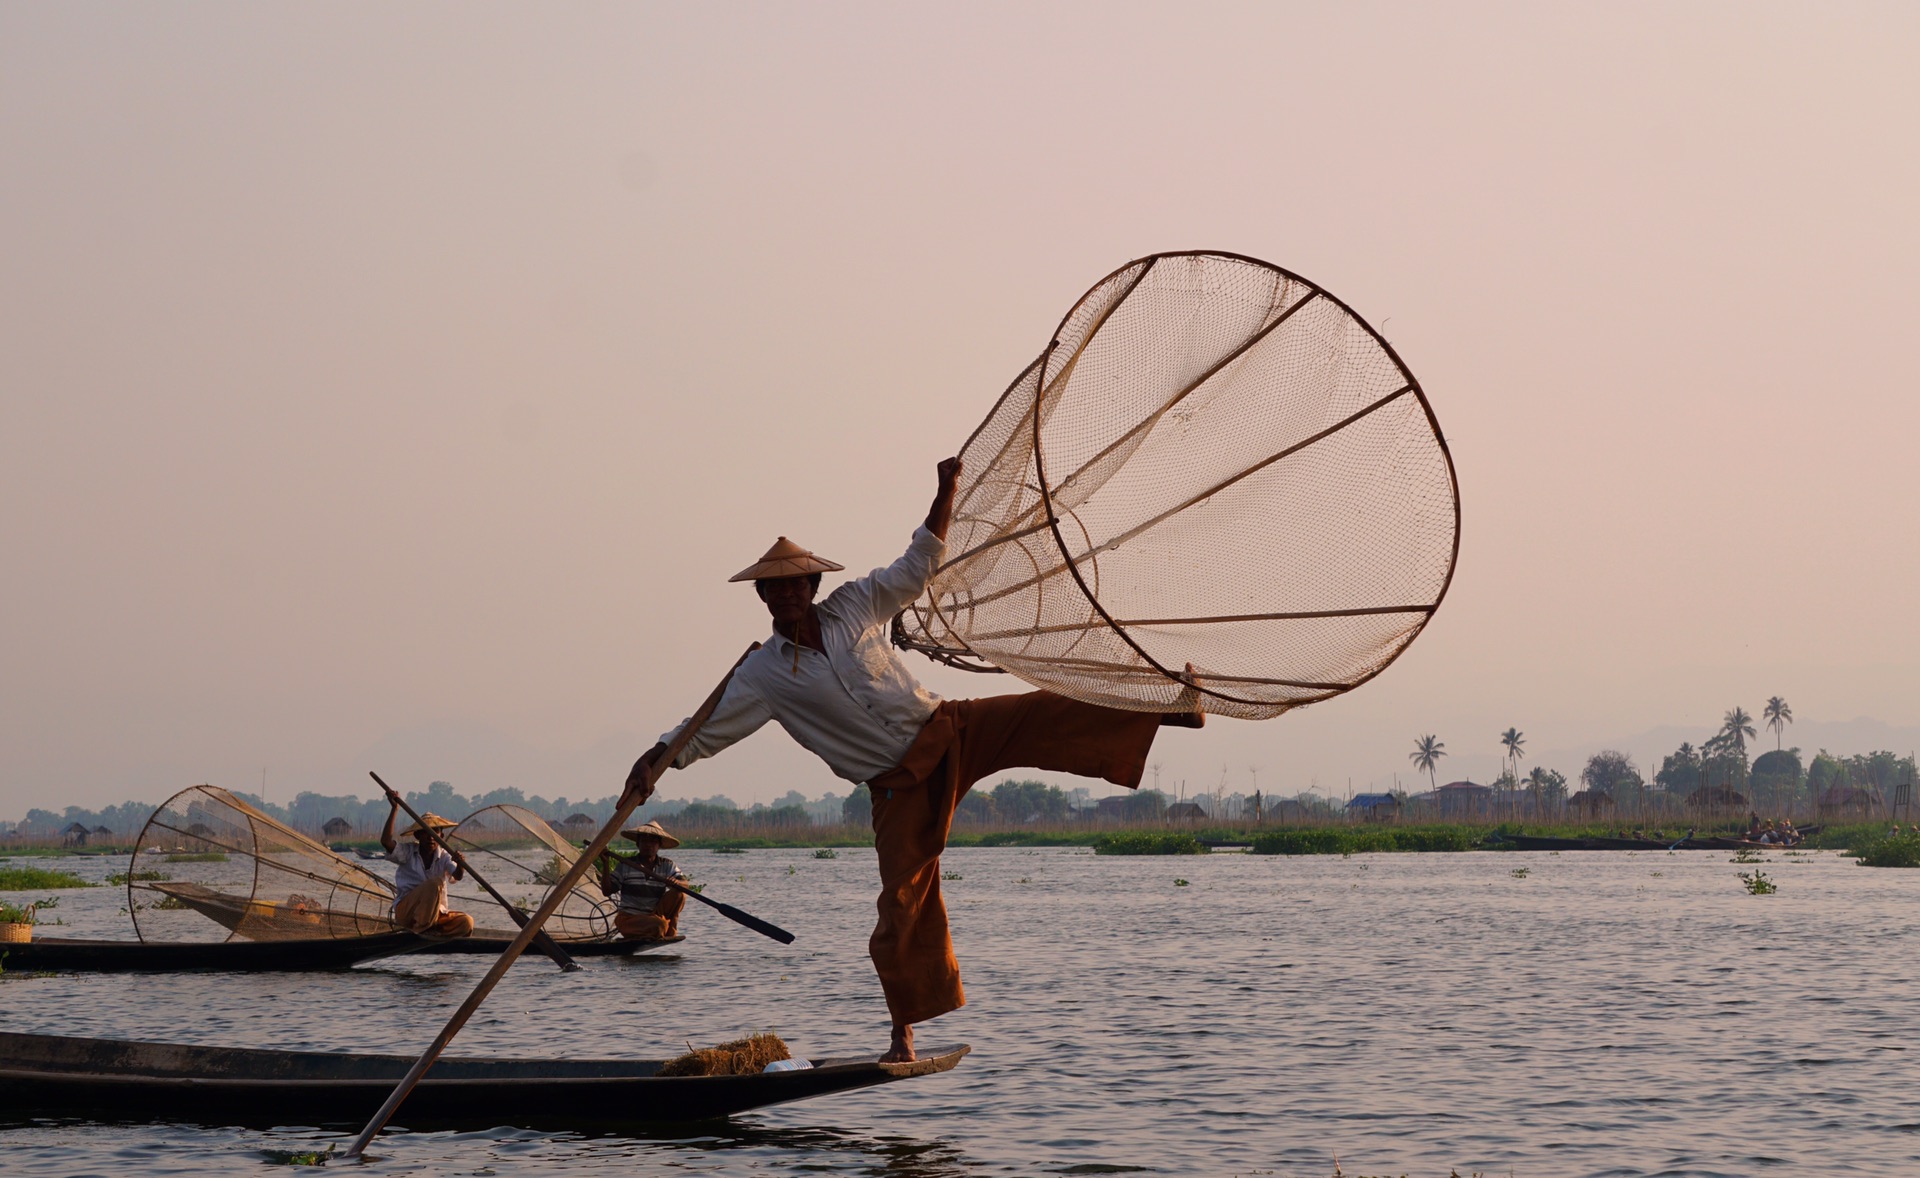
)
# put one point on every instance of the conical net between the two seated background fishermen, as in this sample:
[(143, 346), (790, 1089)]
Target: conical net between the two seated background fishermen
[(525, 859)]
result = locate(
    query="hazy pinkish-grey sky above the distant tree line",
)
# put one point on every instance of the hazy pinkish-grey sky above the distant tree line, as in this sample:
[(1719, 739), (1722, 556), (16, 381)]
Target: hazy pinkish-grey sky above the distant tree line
[(395, 387)]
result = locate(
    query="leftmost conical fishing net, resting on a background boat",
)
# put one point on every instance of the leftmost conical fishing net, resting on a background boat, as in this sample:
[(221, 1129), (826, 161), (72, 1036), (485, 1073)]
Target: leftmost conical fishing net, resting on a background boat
[(212, 868)]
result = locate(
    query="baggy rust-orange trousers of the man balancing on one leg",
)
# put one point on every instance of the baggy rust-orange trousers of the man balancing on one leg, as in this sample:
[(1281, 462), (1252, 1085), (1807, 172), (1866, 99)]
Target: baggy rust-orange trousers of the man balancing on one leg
[(915, 807)]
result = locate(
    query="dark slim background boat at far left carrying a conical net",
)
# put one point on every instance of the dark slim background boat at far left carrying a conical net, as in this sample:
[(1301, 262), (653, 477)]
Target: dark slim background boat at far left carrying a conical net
[(180, 956)]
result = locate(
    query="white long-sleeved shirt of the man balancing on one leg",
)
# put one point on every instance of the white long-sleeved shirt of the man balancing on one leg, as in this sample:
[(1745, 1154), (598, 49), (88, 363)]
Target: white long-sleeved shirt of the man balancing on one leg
[(855, 707)]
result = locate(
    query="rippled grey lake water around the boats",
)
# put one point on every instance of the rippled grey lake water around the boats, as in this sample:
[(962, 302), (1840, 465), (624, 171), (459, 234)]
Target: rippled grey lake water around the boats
[(1602, 1014)]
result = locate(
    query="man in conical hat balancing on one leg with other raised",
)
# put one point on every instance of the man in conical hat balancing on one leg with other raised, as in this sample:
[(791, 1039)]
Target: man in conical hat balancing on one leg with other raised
[(832, 680)]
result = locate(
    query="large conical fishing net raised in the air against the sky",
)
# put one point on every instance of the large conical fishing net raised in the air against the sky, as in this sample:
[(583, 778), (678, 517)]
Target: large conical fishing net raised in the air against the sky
[(1214, 463)]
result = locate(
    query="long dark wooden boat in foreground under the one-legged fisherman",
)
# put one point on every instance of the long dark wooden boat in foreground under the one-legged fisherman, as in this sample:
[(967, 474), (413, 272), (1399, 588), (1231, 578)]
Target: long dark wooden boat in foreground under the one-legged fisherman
[(133, 1081)]
